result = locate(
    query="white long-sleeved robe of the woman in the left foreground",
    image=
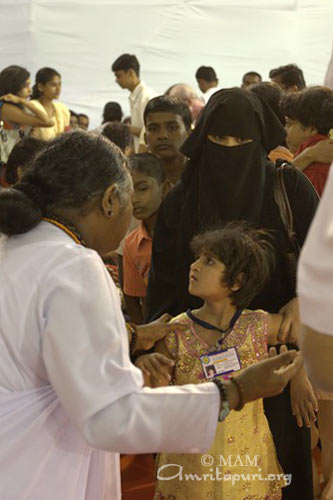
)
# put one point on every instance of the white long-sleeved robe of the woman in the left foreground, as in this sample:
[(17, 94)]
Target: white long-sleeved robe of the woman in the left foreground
[(66, 378)]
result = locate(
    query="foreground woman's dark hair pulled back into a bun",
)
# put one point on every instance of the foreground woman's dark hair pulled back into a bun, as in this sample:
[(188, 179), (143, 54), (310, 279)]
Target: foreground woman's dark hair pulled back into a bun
[(72, 169)]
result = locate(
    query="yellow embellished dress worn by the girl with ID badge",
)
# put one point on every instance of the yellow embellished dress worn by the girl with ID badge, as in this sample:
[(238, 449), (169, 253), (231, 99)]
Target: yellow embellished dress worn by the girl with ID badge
[(242, 462)]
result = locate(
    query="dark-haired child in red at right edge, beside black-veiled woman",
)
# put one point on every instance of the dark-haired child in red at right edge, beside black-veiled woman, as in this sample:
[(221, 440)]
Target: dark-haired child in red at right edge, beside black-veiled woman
[(309, 120)]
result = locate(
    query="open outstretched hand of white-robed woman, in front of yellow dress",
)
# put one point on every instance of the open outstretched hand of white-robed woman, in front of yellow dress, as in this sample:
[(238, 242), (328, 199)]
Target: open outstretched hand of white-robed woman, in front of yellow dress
[(270, 376)]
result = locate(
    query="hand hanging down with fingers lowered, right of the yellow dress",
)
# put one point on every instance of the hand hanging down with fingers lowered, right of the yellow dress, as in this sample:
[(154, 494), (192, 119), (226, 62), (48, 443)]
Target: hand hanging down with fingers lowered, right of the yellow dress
[(303, 401)]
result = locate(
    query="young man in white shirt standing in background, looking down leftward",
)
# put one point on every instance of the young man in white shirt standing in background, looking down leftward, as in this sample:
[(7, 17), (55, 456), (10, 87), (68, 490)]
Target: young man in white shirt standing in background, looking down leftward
[(126, 69)]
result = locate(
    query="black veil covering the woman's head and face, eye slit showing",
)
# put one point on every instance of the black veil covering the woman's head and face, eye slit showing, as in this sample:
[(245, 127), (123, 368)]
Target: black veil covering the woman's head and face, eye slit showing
[(227, 183)]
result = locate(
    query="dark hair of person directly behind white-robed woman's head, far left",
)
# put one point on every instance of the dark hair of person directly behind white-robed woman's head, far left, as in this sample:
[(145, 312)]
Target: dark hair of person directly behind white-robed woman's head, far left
[(22, 155)]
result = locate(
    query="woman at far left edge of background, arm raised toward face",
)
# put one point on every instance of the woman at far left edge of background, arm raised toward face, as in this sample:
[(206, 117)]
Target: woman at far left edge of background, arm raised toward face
[(15, 121)]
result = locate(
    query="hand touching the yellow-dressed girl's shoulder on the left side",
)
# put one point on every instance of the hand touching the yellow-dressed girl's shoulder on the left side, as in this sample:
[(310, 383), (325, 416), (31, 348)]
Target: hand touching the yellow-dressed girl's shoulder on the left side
[(149, 334)]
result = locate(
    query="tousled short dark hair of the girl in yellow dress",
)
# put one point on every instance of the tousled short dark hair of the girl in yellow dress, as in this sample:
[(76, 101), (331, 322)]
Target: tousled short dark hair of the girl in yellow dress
[(247, 254)]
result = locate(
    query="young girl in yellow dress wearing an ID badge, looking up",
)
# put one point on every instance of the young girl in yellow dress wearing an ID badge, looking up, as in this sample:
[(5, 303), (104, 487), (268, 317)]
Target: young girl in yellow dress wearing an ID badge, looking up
[(224, 337)]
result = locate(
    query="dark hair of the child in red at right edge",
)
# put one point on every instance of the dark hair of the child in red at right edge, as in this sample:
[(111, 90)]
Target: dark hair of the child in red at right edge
[(311, 107)]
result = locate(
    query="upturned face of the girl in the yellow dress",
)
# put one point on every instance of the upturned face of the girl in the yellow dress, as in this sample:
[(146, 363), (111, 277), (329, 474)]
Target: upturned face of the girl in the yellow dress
[(206, 278)]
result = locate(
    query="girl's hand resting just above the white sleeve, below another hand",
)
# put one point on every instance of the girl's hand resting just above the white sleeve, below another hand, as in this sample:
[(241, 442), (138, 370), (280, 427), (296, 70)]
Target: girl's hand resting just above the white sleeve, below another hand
[(156, 369)]
